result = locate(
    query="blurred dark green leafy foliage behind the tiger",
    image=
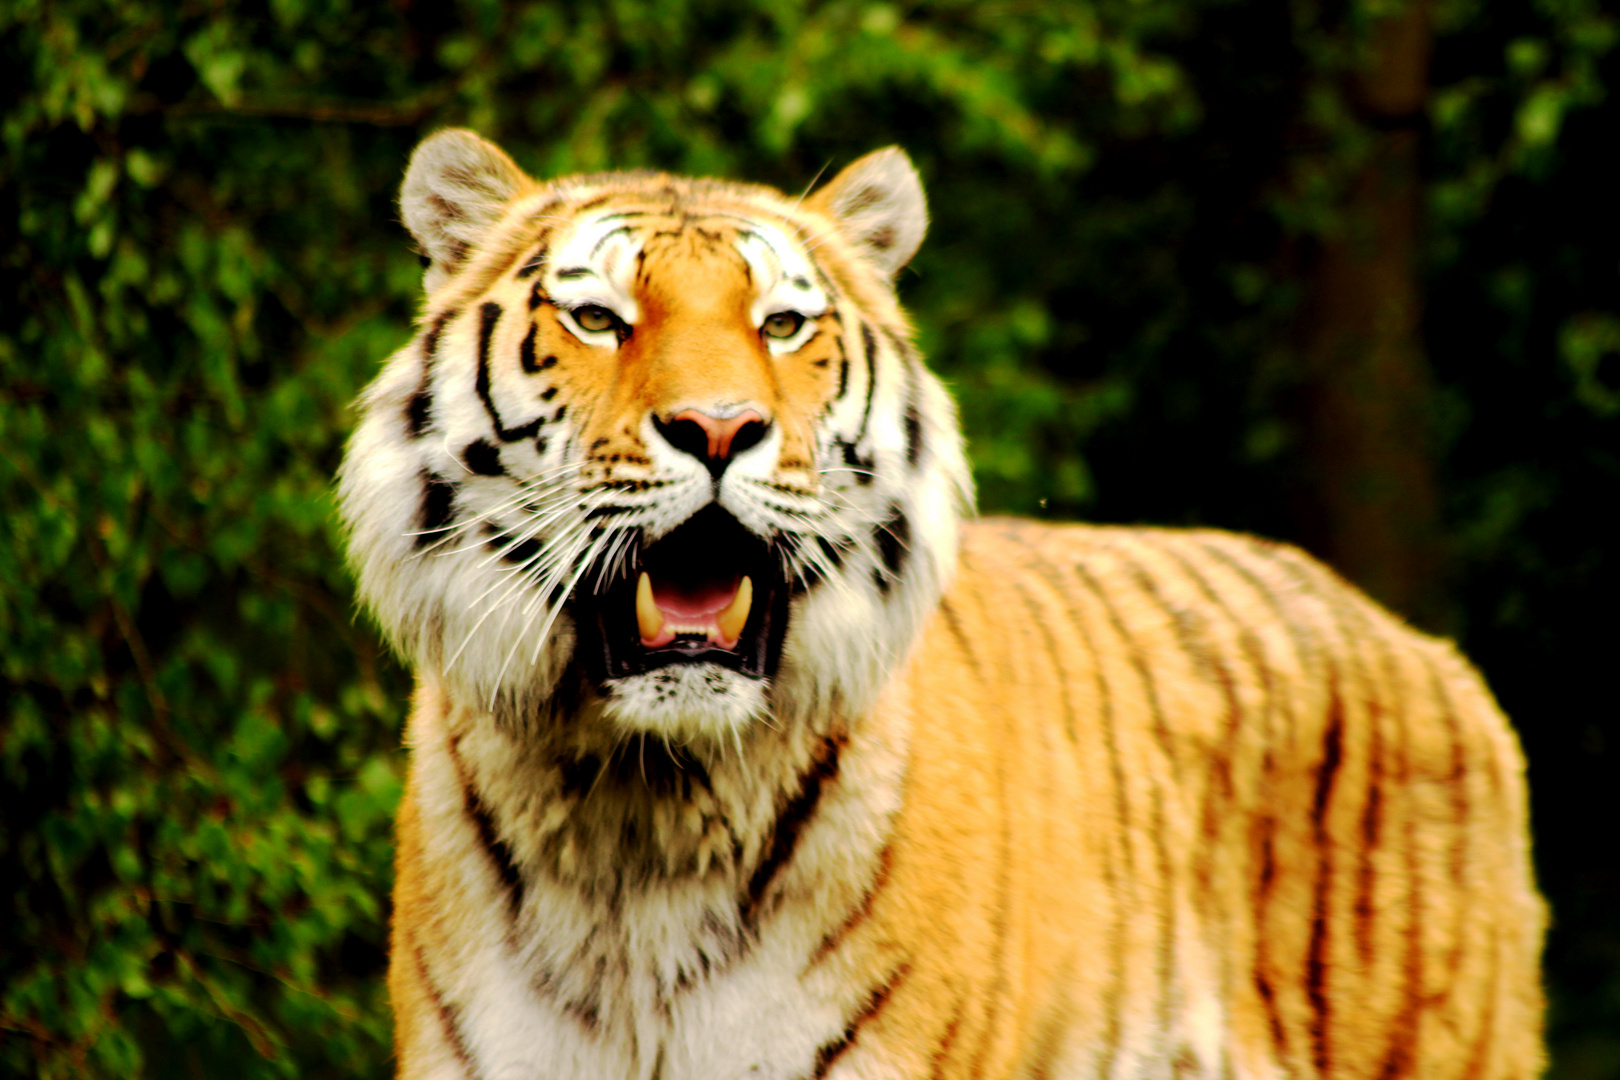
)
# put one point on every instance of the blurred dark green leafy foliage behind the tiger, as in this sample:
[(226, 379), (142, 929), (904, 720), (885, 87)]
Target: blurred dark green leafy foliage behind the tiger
[(202, 266)]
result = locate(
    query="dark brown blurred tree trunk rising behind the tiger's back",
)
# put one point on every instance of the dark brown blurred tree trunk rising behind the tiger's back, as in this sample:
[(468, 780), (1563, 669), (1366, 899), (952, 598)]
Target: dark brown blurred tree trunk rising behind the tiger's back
[(1370, 503)]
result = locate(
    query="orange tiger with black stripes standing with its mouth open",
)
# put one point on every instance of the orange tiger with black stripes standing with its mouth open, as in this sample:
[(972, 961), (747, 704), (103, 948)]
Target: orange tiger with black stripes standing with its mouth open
[(743, 747)]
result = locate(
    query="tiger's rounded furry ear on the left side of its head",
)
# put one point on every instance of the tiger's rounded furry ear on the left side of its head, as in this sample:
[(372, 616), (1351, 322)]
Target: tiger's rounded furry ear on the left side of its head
[(456, 187)]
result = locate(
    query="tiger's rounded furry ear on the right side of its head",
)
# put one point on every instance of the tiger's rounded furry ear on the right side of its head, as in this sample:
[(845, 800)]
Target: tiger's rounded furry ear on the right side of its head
[(879, 206)]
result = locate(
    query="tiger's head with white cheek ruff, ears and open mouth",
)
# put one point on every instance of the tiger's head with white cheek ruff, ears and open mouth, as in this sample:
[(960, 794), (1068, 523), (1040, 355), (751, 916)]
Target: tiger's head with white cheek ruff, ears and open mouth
[(662, 449)]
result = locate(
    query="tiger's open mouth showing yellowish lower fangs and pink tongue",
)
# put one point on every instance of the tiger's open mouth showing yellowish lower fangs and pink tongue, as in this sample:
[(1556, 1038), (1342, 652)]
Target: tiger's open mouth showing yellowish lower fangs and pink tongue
[(707, 593)]
